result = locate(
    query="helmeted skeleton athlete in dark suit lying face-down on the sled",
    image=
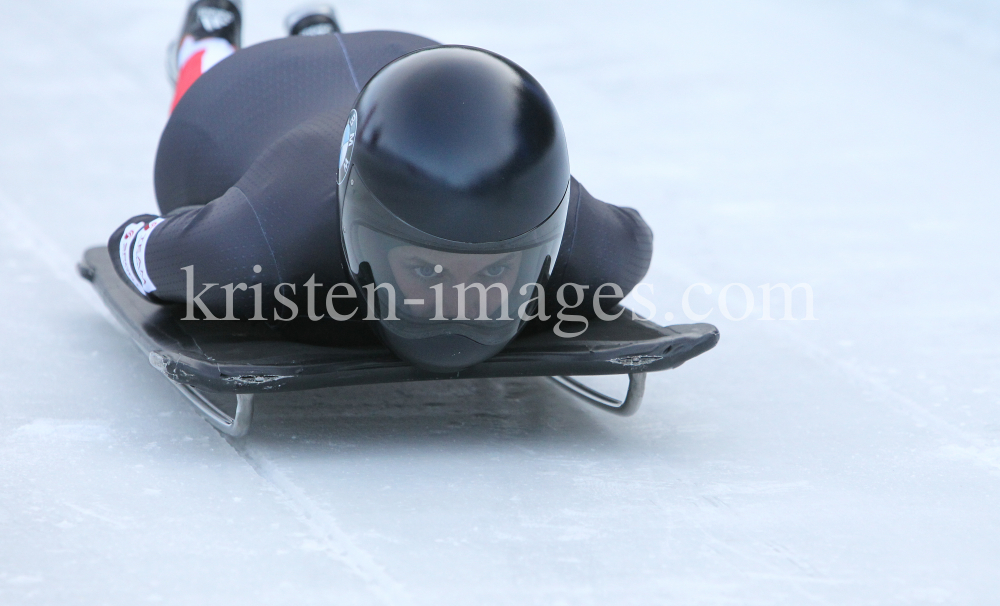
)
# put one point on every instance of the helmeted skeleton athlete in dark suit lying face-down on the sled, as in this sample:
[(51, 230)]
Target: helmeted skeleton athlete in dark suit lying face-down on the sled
[(372, 175)]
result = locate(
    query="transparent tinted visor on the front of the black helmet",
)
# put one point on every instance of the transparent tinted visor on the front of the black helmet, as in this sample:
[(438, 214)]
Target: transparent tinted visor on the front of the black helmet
[(427, 286)]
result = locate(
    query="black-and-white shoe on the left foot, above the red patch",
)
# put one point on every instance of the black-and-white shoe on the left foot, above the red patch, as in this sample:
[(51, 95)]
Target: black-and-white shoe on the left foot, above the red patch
[(206, 19)]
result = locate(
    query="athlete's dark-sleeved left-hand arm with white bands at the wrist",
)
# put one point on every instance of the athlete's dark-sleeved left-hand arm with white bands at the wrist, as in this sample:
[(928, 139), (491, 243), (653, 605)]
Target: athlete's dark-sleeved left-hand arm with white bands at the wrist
[(278, 224)]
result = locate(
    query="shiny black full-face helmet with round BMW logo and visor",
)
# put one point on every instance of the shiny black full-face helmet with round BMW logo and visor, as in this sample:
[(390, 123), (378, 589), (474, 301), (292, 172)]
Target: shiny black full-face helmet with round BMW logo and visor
[(454, 185)]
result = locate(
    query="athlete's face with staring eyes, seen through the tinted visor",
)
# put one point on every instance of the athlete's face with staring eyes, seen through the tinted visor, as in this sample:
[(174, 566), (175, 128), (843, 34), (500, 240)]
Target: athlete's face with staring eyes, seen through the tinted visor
[(417, 269)]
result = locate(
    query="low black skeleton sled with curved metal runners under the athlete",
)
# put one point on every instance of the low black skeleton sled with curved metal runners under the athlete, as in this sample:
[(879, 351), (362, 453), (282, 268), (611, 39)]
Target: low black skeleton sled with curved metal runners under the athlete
[(244, 358)]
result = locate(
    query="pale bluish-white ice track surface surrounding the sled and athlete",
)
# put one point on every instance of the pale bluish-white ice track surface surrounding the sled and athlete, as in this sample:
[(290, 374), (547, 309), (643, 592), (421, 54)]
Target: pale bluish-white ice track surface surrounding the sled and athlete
[(850, 460)]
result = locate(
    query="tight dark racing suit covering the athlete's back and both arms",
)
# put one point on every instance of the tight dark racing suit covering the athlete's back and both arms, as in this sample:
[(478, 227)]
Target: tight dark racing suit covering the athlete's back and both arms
[(246, 175)]
